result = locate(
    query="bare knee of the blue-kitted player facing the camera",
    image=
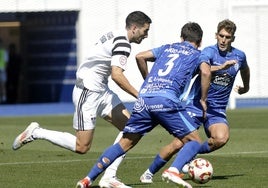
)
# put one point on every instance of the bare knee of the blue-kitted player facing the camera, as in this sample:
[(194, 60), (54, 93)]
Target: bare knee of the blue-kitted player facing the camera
[(219, 130)]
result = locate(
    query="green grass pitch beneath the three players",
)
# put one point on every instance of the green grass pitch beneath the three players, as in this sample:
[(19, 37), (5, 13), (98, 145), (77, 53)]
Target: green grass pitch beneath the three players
[(243, 162)]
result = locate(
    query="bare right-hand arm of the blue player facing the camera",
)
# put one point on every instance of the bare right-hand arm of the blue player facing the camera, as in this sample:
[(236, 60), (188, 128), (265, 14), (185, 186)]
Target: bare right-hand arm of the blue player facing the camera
[(245, 75)]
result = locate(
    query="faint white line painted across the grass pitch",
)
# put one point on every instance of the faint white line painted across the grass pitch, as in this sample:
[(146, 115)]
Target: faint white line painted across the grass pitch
[(127, 158)]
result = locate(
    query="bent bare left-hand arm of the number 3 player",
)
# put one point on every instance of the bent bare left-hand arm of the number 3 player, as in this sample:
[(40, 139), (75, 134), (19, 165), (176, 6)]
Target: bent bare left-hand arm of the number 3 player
[(141, 59)]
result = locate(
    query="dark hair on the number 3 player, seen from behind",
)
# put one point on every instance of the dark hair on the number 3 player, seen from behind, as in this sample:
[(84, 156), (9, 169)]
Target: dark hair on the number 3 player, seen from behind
[(192, 32)]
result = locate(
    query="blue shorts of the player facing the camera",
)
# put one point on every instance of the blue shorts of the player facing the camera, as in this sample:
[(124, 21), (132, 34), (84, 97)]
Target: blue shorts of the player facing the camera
[(214, 115)]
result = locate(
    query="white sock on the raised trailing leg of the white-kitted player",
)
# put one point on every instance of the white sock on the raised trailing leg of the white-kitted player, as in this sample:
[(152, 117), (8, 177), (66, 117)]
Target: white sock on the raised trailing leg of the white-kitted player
[(63, 139)]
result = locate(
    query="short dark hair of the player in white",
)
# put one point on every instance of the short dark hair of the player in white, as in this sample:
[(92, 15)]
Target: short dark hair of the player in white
[(137, 17)]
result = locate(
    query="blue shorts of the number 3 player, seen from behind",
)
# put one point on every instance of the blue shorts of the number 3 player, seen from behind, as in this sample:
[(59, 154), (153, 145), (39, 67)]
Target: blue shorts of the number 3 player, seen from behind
[(148, 112)]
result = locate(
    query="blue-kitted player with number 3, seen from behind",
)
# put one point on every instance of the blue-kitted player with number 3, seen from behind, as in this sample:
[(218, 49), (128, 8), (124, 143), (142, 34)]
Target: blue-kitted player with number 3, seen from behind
[(159, 100)]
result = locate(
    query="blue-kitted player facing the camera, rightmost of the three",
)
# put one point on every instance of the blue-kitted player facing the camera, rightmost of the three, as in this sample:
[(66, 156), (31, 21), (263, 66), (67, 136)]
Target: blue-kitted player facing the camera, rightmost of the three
[(226, 61)]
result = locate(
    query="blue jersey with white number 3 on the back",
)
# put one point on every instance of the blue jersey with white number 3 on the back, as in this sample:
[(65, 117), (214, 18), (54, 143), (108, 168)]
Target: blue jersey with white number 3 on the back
[(171, 72)]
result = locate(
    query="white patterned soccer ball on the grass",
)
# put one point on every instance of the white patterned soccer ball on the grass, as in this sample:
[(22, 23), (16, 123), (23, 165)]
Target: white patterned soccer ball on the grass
[(200, 170)]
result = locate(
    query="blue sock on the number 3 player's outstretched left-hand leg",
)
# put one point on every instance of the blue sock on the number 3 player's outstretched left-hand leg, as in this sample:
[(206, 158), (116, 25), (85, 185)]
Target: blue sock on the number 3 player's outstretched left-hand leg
[(107, 158)]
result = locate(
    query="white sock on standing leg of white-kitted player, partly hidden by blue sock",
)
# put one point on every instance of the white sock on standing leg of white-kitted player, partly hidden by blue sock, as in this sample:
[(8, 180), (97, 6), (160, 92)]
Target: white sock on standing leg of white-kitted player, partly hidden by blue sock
[(112, 169)]
